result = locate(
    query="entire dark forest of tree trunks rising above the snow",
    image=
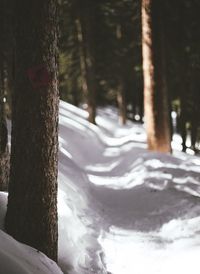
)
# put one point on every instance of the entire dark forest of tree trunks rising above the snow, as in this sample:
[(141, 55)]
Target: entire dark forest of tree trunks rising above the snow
[(141, 56)]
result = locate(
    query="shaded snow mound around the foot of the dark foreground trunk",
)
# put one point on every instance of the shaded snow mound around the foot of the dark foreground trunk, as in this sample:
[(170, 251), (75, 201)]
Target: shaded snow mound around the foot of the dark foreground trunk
[(17, 258)]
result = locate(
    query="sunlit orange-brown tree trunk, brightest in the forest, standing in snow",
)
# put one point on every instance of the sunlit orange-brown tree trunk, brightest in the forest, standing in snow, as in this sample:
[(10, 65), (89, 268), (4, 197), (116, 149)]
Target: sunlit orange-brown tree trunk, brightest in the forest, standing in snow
[(155, 89)]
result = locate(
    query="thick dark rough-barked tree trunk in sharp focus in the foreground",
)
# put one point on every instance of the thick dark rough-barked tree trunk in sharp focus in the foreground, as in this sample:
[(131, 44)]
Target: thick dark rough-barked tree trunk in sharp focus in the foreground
[(32, 202)]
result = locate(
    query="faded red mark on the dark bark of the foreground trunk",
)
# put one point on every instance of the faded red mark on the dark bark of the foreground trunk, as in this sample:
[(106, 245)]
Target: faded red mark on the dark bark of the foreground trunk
[(39, 76)]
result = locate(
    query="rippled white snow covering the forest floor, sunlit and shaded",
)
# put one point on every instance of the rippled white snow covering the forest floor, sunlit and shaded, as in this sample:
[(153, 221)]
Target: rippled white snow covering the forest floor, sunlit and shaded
[(122, 209)]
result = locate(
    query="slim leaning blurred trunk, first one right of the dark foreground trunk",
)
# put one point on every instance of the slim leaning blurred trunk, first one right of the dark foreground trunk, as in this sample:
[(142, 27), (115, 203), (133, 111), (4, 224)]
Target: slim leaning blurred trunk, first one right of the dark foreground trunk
[(86, 19)]
